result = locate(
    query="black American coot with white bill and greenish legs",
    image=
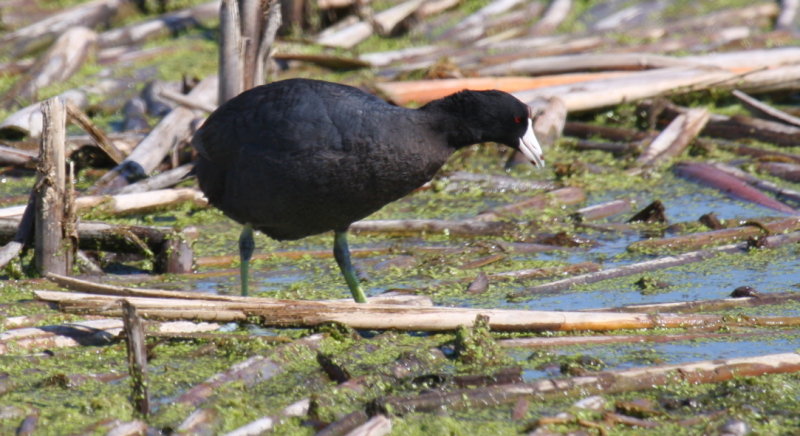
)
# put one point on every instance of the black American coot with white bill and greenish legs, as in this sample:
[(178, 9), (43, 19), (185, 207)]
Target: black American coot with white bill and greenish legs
[(299, 157)]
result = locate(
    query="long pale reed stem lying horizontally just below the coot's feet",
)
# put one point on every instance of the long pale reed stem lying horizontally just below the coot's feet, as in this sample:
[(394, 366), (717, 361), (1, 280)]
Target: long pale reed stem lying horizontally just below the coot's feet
[(296, 313)]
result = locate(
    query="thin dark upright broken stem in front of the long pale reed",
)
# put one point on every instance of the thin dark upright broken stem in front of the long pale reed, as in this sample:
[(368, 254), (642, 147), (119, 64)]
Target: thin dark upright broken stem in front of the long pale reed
[(137, 357)]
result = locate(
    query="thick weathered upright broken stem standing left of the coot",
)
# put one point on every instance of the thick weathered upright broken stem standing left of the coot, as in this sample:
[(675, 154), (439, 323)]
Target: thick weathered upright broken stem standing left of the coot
[(53, 251)]
